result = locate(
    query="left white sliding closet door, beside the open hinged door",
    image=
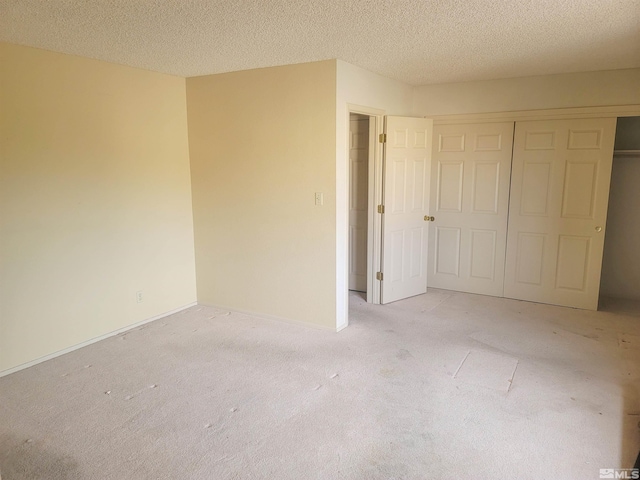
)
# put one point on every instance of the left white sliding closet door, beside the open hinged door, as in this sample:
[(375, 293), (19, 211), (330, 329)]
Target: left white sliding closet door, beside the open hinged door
[(471, 170)]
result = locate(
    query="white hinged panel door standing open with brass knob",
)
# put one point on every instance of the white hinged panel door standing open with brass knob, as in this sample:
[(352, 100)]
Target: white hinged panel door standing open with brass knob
[(406, 180)]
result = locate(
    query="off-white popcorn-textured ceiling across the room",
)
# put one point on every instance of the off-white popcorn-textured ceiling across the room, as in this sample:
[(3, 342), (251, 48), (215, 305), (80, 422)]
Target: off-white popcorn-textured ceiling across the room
[(416, 41)]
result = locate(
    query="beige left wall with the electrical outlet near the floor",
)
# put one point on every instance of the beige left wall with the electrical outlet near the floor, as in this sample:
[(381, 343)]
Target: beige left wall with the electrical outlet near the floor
[(94, 200)]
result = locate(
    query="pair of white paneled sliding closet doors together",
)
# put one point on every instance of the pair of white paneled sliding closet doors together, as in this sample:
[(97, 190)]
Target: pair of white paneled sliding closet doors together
[(520, 209)]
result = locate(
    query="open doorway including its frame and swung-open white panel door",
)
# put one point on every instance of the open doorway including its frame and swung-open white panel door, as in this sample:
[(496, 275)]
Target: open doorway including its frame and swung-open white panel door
[(407, 170)]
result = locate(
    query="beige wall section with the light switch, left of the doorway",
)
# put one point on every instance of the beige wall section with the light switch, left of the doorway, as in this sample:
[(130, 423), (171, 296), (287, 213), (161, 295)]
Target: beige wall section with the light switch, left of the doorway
[(262, 142)]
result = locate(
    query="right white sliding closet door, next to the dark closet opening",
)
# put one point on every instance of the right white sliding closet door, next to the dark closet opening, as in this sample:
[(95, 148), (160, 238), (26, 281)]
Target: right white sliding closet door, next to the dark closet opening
[(558, 208)]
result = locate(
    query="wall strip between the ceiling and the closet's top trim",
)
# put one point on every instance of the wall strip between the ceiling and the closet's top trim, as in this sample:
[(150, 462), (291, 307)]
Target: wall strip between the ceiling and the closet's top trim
[(590, 89)]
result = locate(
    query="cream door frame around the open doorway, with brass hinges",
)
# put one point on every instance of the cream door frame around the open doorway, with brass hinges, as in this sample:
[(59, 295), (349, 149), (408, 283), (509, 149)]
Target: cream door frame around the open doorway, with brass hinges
[(374, 197)]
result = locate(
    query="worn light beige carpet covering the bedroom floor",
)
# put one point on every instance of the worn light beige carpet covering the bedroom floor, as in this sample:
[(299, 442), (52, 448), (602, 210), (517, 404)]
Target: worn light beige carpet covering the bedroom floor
[(443, 385)]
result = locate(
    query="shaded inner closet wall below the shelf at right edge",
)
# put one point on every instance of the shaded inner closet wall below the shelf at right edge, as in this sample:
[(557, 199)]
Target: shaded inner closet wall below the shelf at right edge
[(621, 261)]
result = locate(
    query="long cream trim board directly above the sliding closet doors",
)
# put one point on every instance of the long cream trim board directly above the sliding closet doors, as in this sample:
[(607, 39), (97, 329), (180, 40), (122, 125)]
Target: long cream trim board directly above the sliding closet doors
[(549, 114)]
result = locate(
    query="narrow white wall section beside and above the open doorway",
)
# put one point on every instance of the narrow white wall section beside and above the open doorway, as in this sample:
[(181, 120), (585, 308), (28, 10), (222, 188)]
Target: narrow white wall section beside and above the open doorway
[(356, 86)]
